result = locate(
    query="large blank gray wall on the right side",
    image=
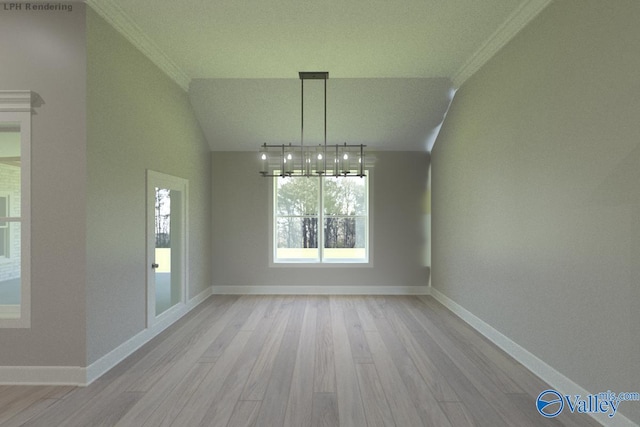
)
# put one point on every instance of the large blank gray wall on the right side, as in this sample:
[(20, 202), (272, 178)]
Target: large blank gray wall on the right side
[(536, 201)]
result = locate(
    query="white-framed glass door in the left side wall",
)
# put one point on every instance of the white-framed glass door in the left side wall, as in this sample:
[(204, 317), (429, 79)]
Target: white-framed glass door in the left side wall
[(166, 244)]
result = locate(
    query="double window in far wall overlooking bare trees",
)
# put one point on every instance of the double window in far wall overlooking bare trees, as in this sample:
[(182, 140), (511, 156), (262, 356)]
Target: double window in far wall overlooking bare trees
[(321, 220)]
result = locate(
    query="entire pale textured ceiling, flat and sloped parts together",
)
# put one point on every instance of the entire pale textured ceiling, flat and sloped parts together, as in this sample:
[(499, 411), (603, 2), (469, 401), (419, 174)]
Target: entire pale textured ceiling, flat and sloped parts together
[(392, 64)]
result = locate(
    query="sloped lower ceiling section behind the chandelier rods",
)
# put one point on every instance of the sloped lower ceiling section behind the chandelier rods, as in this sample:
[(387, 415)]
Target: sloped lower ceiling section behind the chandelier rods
[(386, 114)]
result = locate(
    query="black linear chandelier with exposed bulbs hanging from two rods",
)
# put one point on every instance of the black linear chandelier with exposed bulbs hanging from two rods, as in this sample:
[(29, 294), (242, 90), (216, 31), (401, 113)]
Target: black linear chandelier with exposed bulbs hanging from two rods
[(298, 160)]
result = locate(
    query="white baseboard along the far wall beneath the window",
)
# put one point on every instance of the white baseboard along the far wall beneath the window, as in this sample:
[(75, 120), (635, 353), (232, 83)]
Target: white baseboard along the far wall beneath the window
[(319, 290)]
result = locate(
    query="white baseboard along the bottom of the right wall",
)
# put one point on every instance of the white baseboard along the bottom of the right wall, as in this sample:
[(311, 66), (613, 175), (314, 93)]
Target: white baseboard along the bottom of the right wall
[(536, 365)]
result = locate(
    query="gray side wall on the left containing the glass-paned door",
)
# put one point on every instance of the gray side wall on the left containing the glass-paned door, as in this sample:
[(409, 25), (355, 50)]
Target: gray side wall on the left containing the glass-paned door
[(138, 119)]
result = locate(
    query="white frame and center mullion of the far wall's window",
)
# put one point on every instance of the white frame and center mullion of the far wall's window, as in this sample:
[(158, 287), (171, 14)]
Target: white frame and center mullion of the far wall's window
[(320, 261)]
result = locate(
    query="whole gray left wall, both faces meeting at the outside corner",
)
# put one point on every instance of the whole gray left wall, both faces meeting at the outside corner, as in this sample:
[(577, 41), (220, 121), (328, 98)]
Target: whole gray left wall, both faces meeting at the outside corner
[(108, 115)]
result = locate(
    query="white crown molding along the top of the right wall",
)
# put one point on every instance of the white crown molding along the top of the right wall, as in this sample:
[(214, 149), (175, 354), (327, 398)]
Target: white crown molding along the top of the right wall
[(509, 28)]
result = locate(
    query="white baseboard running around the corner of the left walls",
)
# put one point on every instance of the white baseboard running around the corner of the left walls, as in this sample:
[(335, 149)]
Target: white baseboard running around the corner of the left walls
[(81, 376)]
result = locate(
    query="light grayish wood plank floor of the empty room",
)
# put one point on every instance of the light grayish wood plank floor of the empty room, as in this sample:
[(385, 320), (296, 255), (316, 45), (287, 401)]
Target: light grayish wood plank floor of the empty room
[(301, 361)]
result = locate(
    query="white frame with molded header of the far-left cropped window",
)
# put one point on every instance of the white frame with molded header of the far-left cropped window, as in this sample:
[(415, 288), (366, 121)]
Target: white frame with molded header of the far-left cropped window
[(15, 108)]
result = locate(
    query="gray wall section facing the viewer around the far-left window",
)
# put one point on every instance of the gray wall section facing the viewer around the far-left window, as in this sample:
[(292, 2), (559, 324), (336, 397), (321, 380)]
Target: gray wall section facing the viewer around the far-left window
[(45, 52)]
